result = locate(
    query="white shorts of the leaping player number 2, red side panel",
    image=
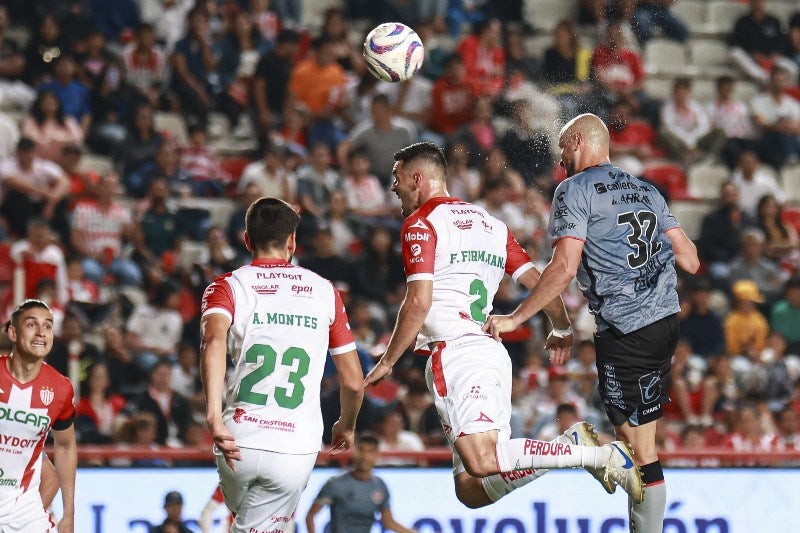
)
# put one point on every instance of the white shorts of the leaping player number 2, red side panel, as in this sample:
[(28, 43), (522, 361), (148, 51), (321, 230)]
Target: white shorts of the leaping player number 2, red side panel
[(470, 379)]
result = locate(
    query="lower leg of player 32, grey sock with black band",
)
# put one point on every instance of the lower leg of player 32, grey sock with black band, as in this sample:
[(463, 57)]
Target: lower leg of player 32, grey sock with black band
[(647, 516)]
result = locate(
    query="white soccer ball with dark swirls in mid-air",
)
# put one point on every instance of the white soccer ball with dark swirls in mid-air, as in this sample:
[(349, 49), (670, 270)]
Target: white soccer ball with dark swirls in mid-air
[(393, 52)]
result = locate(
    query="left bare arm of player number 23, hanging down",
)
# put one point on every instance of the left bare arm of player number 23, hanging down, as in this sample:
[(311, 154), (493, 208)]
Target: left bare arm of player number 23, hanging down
[(213, 348)]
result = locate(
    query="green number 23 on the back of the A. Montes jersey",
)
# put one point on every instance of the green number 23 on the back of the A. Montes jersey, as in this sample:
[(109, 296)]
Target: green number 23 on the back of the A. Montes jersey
[(268, 358)]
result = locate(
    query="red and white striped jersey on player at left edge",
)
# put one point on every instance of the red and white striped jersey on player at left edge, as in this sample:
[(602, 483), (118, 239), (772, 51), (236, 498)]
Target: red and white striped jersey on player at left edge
[(27, 413)]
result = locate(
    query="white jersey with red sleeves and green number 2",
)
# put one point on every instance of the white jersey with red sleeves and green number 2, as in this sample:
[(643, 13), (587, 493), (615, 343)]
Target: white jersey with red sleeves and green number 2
[(465, 251)]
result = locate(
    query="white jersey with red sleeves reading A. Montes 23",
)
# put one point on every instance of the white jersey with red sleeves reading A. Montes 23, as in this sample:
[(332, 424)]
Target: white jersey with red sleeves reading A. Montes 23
[(284, 319)]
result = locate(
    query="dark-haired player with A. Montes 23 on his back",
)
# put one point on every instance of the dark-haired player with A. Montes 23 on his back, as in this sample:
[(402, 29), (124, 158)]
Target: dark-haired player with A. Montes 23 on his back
[(278, 321)]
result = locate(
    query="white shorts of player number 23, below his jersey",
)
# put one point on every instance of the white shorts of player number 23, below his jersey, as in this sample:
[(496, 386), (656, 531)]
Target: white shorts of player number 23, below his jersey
[(265, 489)]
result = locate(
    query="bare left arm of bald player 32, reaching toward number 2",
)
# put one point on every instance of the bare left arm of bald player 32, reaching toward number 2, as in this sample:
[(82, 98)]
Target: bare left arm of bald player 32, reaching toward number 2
[(552, 282)]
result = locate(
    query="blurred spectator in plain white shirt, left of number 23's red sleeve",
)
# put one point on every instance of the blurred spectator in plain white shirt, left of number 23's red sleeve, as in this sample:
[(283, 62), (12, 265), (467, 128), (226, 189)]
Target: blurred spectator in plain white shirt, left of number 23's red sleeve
[(154, 328)]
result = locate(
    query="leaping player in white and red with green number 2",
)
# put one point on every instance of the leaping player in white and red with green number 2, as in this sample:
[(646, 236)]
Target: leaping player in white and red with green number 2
[(455, 255)]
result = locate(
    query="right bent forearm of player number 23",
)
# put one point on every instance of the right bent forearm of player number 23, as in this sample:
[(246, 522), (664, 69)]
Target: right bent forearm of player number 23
[(351, 394)]
